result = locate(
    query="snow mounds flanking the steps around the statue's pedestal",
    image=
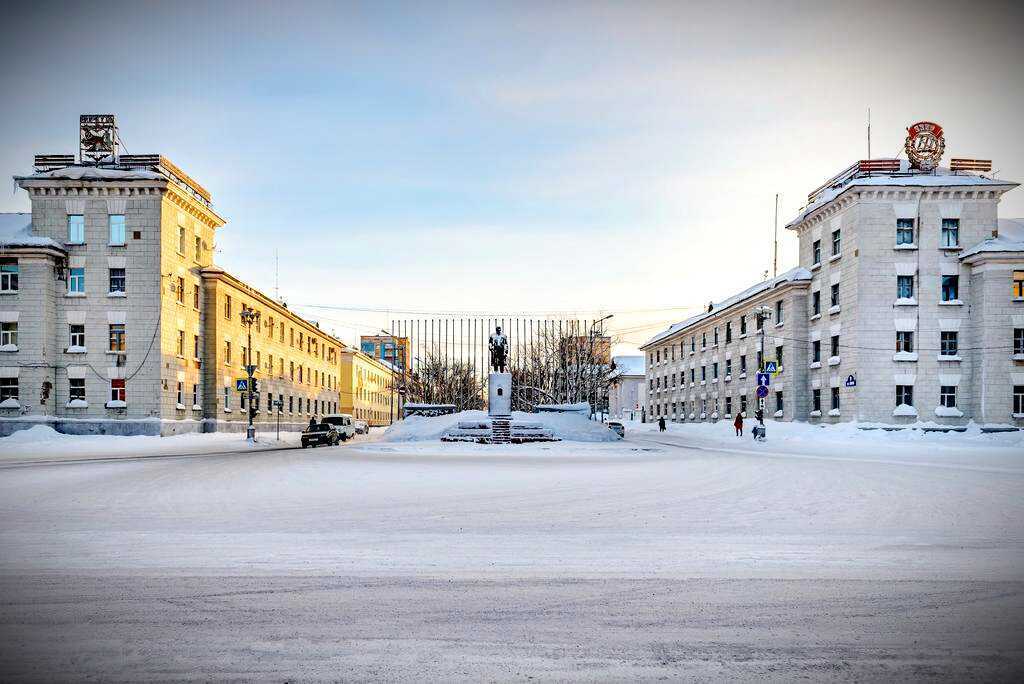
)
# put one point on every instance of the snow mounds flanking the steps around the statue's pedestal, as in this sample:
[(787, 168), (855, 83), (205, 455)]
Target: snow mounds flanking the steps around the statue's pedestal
[(570, 427)]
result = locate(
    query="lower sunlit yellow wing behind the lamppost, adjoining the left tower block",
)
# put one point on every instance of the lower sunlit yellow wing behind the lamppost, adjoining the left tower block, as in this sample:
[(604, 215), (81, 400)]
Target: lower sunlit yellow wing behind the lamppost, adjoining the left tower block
[(298, 364)]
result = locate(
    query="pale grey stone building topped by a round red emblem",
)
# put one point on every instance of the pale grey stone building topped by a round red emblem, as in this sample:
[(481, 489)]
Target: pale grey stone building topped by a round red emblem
[(908, 306)]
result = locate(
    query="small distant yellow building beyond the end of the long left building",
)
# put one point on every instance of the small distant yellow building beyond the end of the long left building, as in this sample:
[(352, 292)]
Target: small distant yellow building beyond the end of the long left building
[(367, 389)]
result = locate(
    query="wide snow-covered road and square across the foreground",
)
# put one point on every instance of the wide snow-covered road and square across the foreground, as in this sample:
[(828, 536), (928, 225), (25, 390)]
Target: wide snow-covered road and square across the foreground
[(643, 560)]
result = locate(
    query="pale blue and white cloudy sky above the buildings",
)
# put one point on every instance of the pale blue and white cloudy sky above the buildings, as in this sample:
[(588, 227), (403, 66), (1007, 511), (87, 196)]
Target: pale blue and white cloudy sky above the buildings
[(531, 157)]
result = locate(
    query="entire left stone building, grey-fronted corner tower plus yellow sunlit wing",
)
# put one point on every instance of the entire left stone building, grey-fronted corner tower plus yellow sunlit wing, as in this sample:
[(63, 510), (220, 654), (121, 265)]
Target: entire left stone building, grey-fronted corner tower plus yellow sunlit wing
[(115, 319)]
